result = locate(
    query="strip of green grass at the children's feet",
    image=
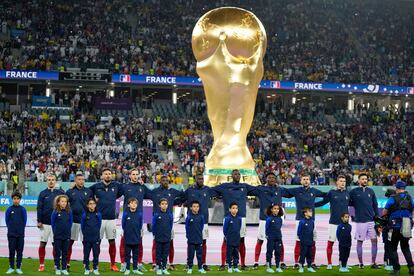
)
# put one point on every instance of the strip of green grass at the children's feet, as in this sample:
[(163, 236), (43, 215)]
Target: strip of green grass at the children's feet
[(30, 266)]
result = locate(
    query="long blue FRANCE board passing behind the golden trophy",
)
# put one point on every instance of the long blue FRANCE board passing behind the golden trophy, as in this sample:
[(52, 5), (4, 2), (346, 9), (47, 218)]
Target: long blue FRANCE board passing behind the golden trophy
[(267, 84)]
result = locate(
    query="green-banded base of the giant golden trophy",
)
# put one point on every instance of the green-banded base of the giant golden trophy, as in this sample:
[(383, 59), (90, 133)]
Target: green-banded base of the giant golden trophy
[(214, 177)]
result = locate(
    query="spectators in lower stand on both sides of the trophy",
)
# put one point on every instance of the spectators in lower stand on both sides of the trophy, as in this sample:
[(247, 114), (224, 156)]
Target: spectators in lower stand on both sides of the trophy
[(295, 140)]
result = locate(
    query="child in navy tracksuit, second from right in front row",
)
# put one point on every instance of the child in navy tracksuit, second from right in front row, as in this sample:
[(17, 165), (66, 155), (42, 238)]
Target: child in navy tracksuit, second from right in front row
[(305, 233)]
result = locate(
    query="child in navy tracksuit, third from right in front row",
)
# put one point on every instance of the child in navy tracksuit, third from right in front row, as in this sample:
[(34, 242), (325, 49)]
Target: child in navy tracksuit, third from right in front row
[(274, 236)]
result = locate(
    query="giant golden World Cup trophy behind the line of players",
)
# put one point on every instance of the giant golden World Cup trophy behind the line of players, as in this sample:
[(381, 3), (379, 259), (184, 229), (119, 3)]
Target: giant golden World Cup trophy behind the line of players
[(229, 45)]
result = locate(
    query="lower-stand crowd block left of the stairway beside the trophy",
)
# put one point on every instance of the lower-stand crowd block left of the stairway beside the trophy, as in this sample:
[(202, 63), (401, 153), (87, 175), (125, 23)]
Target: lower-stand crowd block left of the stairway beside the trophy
[(50, 145)]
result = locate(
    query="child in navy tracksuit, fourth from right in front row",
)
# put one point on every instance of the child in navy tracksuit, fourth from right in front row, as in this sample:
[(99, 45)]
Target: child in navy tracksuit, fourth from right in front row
[(231, 229)]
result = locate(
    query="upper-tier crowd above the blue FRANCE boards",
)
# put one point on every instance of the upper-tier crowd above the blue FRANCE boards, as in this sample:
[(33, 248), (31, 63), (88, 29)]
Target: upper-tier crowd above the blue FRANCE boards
[(334, 41)]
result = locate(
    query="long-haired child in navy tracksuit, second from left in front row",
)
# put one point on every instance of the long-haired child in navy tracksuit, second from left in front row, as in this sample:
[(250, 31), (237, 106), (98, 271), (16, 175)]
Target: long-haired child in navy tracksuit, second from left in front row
[(61, 221)]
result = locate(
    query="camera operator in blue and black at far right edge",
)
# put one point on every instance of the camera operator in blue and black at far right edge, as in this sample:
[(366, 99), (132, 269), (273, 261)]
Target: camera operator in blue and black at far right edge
[(399, 208)]
